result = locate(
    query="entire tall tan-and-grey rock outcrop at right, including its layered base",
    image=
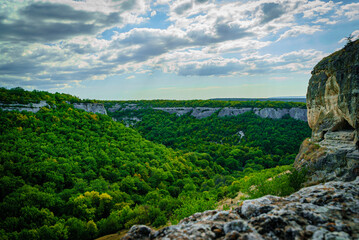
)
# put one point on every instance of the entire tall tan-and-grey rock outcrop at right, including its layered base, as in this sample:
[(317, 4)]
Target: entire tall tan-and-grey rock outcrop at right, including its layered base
[(333, 114)]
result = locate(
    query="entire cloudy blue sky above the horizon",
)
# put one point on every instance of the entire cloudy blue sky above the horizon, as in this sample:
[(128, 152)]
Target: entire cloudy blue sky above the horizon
[(170, 49)]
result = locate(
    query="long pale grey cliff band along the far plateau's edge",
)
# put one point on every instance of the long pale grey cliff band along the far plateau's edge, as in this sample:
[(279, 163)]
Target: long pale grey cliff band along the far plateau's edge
[(203, 112)]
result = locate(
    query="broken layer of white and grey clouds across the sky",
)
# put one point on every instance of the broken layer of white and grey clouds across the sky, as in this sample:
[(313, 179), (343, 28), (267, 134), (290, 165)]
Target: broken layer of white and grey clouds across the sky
[(204, 38)]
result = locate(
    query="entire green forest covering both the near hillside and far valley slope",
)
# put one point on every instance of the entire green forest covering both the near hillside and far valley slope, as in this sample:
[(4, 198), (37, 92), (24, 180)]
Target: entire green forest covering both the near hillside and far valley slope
[(69, 174)]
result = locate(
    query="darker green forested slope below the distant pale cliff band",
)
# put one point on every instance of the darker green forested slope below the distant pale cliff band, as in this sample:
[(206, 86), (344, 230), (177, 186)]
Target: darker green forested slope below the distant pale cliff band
[(266, 142)]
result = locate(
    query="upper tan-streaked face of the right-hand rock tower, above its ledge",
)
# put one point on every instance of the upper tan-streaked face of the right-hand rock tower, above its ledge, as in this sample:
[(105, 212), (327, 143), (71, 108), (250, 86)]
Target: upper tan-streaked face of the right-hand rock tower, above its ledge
[(333, 93)]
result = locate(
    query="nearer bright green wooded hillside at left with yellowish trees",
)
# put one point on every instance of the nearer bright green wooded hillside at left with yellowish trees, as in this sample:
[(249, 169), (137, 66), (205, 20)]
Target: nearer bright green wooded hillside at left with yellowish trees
[(71, 174)]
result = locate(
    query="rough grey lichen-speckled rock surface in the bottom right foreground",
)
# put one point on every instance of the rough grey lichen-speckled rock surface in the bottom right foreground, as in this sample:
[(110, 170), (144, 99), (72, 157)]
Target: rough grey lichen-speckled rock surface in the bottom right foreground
[(325, 211)]
